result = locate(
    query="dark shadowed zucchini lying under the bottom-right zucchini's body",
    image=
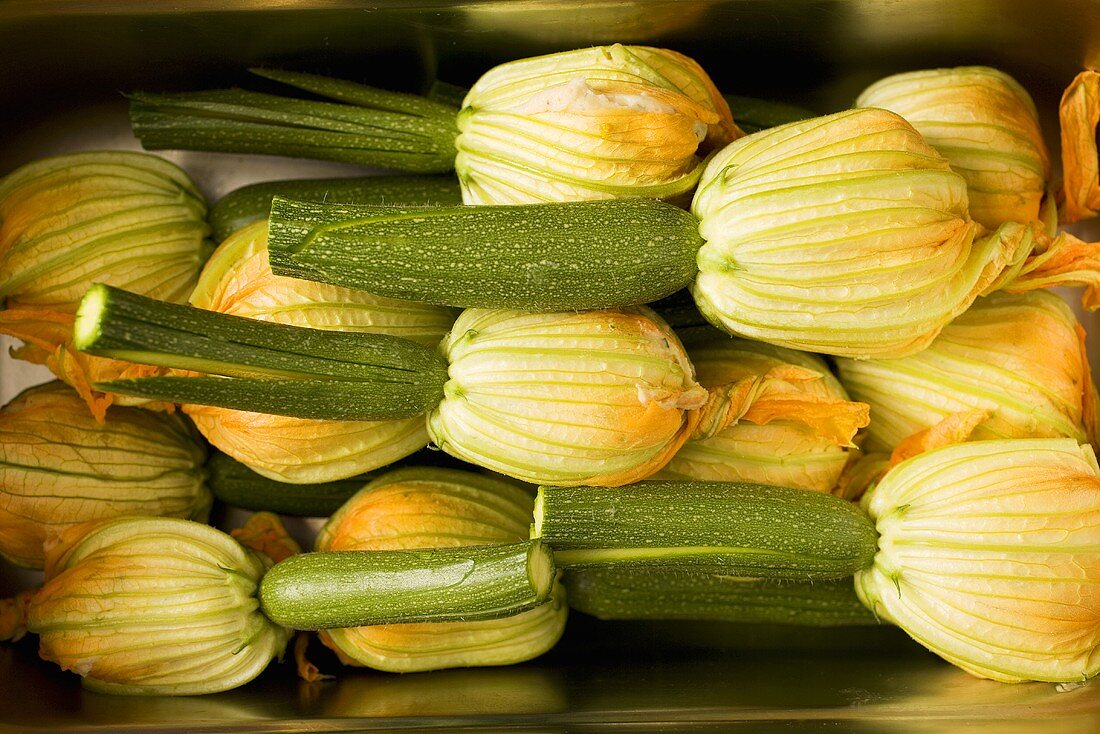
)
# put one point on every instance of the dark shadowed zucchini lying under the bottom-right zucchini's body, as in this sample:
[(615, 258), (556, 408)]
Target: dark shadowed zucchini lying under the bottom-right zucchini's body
[(619, 594)]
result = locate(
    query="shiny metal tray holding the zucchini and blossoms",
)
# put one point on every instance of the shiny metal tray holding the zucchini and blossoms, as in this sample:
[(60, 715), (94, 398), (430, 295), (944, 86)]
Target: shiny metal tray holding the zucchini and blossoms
[(65, 65)]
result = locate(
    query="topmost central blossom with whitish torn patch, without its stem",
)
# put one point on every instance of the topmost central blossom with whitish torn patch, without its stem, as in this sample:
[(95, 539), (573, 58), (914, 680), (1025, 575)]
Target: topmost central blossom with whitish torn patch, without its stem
[(597, 124)]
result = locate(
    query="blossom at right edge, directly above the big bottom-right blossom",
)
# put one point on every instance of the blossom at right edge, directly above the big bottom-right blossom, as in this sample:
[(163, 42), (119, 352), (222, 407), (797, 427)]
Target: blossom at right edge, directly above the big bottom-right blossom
[(1018, 360)]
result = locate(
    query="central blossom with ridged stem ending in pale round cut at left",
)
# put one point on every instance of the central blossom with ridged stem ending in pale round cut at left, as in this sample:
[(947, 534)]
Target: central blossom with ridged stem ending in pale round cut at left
[(589, 398)]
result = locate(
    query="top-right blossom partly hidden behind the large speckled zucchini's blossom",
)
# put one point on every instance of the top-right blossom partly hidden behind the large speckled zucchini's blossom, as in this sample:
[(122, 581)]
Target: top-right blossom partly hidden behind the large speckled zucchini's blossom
[(986, 125)]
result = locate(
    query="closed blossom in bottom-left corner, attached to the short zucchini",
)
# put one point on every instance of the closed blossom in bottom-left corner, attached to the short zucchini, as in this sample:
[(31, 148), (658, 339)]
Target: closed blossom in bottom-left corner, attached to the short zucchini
[(159, 607)]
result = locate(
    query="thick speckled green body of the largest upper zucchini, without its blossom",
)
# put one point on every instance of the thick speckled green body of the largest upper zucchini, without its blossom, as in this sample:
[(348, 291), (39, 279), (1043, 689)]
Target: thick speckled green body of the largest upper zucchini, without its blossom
[(554, 257)]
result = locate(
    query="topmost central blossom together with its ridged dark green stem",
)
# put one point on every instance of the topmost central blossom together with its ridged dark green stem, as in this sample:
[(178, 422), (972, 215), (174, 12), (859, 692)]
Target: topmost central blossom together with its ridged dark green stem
[(595, 124)]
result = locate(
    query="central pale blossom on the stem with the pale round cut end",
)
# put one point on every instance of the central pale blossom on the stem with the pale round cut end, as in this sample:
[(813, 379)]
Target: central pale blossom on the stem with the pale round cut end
[(593, 398)]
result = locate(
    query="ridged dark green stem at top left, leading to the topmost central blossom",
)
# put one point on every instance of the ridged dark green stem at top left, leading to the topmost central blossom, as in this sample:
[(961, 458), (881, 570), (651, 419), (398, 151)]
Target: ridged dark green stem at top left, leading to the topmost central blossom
[(360, 125)]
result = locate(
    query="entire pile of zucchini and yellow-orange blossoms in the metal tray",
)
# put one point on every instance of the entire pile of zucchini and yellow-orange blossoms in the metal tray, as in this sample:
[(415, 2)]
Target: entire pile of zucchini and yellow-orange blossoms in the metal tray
[(620, 322)]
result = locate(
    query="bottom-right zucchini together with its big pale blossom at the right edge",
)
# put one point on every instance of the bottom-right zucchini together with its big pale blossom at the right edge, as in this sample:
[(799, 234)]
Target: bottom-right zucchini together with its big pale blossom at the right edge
[(986, 553)]
